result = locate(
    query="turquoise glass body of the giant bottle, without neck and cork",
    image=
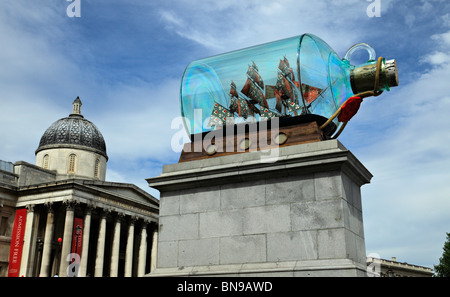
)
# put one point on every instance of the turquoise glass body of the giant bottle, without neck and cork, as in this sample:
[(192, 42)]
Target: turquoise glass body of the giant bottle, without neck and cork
[(291, 77)]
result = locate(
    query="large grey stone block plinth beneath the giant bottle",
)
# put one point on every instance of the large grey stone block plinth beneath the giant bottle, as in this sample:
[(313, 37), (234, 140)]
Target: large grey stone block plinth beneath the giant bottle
[(298, 214)]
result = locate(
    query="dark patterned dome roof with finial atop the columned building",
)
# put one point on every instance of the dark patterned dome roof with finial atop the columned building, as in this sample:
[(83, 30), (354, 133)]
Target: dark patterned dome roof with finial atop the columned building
[(73, 131)]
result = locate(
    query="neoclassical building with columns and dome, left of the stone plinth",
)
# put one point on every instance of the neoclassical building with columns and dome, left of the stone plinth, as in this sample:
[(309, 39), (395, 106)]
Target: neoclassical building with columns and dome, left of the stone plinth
[(60, 217)]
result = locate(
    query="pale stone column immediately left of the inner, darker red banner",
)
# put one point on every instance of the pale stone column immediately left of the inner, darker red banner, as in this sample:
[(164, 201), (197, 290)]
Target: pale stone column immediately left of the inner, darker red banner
[(67, 238)]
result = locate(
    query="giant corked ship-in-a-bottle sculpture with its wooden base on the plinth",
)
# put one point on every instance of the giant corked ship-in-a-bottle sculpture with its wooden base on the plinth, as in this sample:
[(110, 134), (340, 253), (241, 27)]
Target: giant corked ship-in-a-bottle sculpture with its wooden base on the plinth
[(300, 81)]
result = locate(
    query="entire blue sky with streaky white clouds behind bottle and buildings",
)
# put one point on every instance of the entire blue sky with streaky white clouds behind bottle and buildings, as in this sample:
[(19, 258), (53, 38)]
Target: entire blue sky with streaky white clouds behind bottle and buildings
[(125, 60)]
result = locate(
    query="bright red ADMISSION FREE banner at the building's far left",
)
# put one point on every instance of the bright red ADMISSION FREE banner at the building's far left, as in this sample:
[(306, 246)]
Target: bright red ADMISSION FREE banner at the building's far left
[(15, 249)]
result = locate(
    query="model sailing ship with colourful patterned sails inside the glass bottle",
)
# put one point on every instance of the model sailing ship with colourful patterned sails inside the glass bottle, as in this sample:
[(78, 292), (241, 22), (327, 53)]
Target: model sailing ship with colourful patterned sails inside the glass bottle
[(254, 97)]
